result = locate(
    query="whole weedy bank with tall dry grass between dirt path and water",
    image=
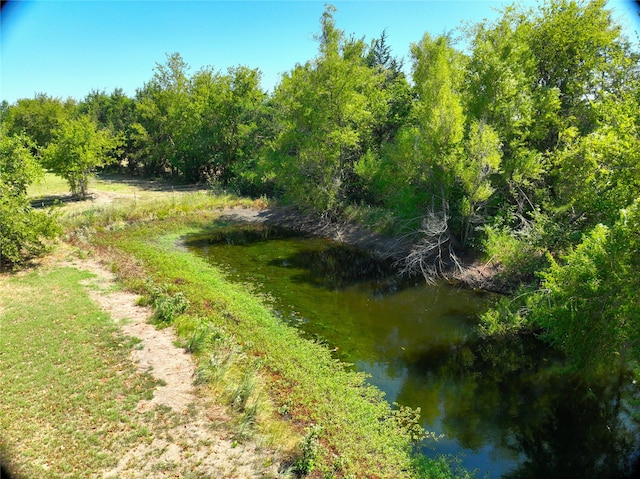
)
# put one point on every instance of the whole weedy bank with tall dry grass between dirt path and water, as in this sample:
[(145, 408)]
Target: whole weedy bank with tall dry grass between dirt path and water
[(266, 373)]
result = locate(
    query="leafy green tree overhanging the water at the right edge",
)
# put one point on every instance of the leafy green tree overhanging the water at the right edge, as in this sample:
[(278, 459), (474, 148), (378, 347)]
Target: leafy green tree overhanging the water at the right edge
[(589, 305)]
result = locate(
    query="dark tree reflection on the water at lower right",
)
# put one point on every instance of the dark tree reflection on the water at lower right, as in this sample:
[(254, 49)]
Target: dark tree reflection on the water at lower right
[(514, 395)]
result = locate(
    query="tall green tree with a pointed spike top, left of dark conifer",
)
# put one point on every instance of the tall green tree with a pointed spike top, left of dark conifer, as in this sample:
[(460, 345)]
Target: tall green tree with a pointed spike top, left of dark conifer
[(327, 108)]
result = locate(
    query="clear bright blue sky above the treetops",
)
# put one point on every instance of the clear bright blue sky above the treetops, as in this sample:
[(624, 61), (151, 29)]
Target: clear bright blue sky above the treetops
[(68, 48)]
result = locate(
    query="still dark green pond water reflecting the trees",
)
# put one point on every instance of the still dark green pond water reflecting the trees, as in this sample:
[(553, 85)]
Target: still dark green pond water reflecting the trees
[(502, 406)]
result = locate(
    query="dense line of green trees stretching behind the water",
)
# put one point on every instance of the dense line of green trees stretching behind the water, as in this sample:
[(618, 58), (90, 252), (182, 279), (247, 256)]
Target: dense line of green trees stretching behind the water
[(524, 148)]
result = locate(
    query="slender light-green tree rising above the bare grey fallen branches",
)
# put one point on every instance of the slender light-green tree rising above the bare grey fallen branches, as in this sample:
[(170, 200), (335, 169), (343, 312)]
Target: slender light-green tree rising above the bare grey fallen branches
[(421, 166)]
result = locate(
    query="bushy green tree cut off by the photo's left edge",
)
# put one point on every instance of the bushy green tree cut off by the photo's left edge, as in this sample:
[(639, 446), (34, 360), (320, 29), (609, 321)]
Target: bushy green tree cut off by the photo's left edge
[(23, 230)]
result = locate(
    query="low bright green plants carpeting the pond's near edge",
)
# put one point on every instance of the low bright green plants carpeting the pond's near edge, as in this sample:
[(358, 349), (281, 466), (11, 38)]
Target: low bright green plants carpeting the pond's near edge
[(360, 436)]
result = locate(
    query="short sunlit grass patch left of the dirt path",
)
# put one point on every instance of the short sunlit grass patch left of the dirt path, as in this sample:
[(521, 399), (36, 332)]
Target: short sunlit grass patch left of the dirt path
[(64, 413)]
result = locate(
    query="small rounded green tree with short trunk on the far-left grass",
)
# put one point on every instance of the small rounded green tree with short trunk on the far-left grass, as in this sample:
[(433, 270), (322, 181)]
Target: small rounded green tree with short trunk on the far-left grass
[(78, 148)]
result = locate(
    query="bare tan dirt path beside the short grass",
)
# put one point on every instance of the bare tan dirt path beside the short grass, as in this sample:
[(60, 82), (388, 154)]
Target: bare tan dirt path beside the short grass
[(189, 436)]
